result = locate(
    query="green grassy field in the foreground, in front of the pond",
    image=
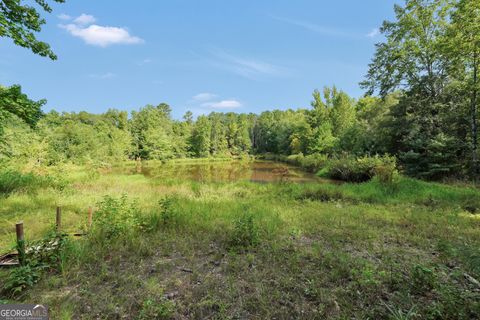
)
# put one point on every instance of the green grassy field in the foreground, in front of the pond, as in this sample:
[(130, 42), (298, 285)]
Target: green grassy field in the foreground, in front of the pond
[(259, 251)]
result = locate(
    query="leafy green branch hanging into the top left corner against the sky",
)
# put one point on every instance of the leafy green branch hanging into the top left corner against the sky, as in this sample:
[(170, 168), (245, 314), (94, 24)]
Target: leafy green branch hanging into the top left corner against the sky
[(19, 21)]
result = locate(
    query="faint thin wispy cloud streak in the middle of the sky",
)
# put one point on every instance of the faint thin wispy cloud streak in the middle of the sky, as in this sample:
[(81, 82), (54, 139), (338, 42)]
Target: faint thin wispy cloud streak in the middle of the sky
[(246, 67)]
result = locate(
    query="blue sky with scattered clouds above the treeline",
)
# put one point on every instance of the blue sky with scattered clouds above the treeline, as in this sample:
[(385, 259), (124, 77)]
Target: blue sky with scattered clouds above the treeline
[(203, 56)]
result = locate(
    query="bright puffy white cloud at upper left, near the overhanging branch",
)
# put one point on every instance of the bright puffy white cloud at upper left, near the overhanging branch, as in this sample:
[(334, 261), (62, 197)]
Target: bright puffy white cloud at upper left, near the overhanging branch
[(101, 36)]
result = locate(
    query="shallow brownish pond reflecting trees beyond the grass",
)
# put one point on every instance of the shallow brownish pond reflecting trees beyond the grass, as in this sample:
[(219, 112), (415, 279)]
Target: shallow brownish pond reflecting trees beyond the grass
[(226, 171)]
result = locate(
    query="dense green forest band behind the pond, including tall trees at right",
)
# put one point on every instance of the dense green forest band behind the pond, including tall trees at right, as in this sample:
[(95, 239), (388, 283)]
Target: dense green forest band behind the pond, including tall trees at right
[(425, 73)]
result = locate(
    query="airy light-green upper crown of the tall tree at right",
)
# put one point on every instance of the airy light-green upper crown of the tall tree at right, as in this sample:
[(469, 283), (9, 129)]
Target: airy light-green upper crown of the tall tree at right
[(411, 54)]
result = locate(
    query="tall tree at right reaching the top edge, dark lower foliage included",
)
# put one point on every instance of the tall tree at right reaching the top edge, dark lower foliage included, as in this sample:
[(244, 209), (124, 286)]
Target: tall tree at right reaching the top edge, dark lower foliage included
[(412, 58)]
